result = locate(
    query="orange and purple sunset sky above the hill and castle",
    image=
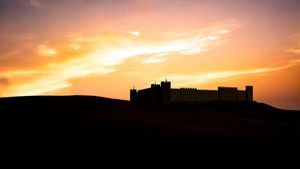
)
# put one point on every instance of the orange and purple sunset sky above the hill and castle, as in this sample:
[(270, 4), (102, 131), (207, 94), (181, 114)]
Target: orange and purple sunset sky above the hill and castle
[(105, 47)]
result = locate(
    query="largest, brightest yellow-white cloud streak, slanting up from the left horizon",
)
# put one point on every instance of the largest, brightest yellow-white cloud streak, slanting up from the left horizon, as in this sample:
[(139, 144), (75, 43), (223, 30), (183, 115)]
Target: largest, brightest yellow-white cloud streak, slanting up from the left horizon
[(108, 51)]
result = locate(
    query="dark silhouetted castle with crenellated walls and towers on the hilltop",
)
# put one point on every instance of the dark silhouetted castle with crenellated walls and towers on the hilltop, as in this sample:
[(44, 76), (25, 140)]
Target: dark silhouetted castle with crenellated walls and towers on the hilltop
[(164, 94)]
